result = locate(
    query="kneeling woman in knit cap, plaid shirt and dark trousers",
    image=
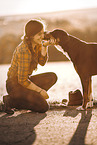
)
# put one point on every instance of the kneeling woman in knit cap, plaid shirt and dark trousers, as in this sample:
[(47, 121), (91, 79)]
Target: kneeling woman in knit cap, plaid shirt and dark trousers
[(25, 91)]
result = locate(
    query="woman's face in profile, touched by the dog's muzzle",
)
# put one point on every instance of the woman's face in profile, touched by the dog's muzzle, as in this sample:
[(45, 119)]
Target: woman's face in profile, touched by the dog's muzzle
[(38, 37)]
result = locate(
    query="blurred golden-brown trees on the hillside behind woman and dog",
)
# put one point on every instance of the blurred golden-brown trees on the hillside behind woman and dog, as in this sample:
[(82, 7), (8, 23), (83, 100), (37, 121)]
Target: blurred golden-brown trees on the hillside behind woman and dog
[(12, 30)]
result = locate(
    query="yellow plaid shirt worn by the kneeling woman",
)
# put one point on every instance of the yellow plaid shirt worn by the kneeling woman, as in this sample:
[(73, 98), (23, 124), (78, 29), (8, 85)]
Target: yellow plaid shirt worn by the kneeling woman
[(23, 63)]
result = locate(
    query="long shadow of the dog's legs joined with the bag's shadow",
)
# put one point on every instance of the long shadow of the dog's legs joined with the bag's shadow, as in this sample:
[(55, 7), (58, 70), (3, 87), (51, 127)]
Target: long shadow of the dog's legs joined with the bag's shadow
[(79, 136)]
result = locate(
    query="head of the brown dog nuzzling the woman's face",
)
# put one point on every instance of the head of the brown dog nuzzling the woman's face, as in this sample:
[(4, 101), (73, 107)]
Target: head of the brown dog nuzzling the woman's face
[(58, 34)]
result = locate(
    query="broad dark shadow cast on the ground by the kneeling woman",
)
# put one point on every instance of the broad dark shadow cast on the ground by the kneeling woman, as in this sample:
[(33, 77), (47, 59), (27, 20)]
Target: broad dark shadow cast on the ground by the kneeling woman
[(19, 129)]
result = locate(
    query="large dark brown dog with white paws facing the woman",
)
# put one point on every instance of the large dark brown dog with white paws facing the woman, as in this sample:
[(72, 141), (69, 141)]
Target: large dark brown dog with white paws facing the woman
[(84, 58)]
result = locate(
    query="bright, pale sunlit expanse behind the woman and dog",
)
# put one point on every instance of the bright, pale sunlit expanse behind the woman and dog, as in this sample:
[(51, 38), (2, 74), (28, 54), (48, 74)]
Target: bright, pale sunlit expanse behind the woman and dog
[(68, 80)]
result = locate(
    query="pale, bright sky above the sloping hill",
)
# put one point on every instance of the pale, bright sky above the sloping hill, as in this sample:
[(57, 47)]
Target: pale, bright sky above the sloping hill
[(14, 7)]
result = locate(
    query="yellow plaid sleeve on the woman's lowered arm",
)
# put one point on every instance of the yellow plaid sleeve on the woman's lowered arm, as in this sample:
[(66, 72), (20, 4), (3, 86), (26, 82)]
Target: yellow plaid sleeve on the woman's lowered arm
[(23, 68)]
